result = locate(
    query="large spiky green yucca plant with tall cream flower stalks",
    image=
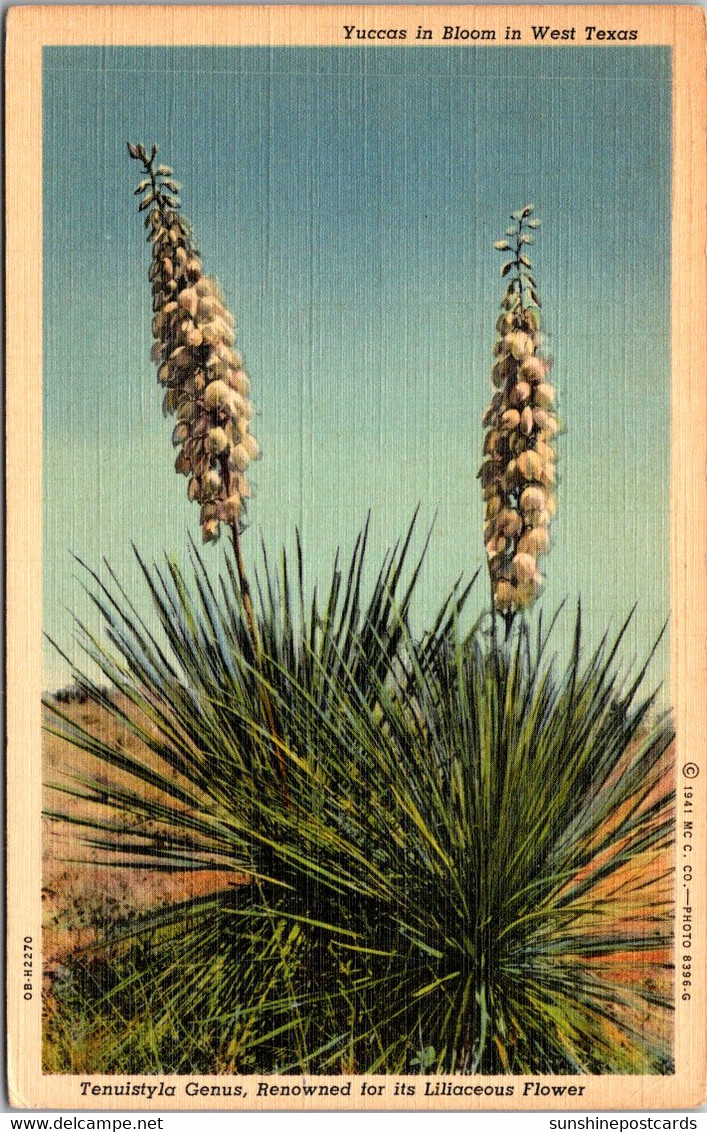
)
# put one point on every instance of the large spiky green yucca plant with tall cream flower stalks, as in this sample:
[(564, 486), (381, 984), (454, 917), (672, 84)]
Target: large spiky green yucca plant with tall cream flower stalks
[(472, 844)]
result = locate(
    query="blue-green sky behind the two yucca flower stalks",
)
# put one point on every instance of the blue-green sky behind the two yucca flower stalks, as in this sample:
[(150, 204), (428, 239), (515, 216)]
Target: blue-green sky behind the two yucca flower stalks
[(348, 200)]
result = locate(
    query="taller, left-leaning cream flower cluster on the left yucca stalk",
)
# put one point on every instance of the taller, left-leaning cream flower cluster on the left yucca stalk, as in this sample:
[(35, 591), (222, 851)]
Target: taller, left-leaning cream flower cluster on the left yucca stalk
[(206, 385)]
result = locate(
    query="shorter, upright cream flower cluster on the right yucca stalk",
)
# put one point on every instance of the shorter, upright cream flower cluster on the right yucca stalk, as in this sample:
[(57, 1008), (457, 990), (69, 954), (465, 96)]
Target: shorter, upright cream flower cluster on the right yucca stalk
[(519, 471)]
